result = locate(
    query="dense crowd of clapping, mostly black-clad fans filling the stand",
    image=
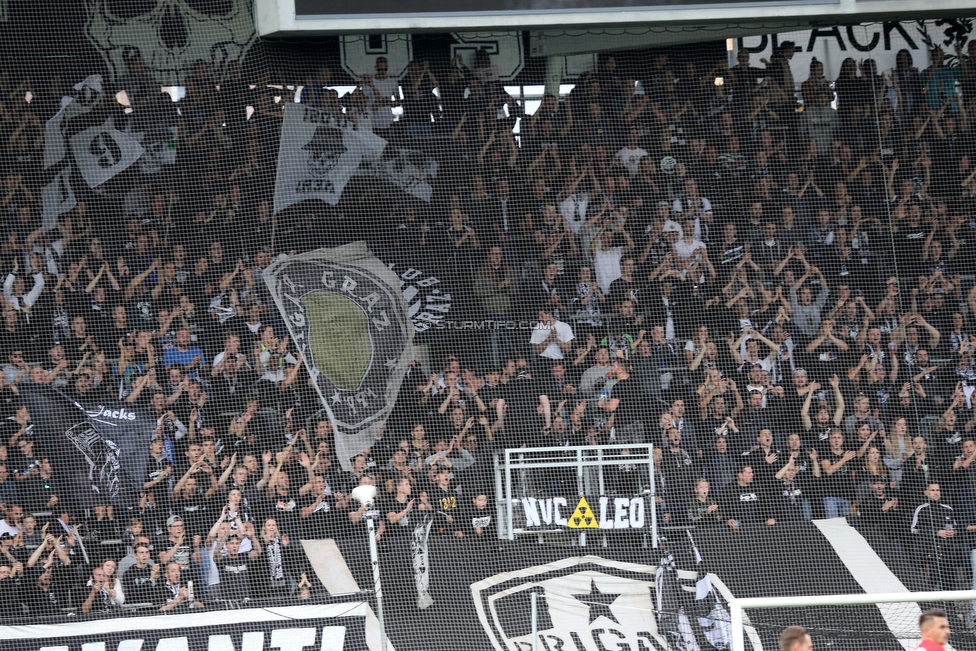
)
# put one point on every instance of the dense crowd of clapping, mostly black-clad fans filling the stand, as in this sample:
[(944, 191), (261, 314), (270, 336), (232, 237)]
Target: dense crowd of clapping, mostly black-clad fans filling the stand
[(777, 298)]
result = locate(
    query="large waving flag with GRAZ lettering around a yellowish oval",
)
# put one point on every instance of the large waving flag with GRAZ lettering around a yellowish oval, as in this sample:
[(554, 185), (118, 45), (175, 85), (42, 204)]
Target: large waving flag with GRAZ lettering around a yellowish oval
[(347, 317)]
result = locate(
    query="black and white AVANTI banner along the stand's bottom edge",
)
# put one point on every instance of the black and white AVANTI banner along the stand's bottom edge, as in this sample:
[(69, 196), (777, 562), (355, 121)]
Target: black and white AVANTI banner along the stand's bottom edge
[(324, 627)]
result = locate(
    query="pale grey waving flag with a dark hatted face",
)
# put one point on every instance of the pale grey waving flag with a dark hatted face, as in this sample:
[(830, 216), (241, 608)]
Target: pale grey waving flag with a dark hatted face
[(316, 156)]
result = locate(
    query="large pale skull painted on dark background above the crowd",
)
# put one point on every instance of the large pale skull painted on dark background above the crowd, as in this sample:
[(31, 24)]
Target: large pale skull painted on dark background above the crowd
[(170, 35)]
